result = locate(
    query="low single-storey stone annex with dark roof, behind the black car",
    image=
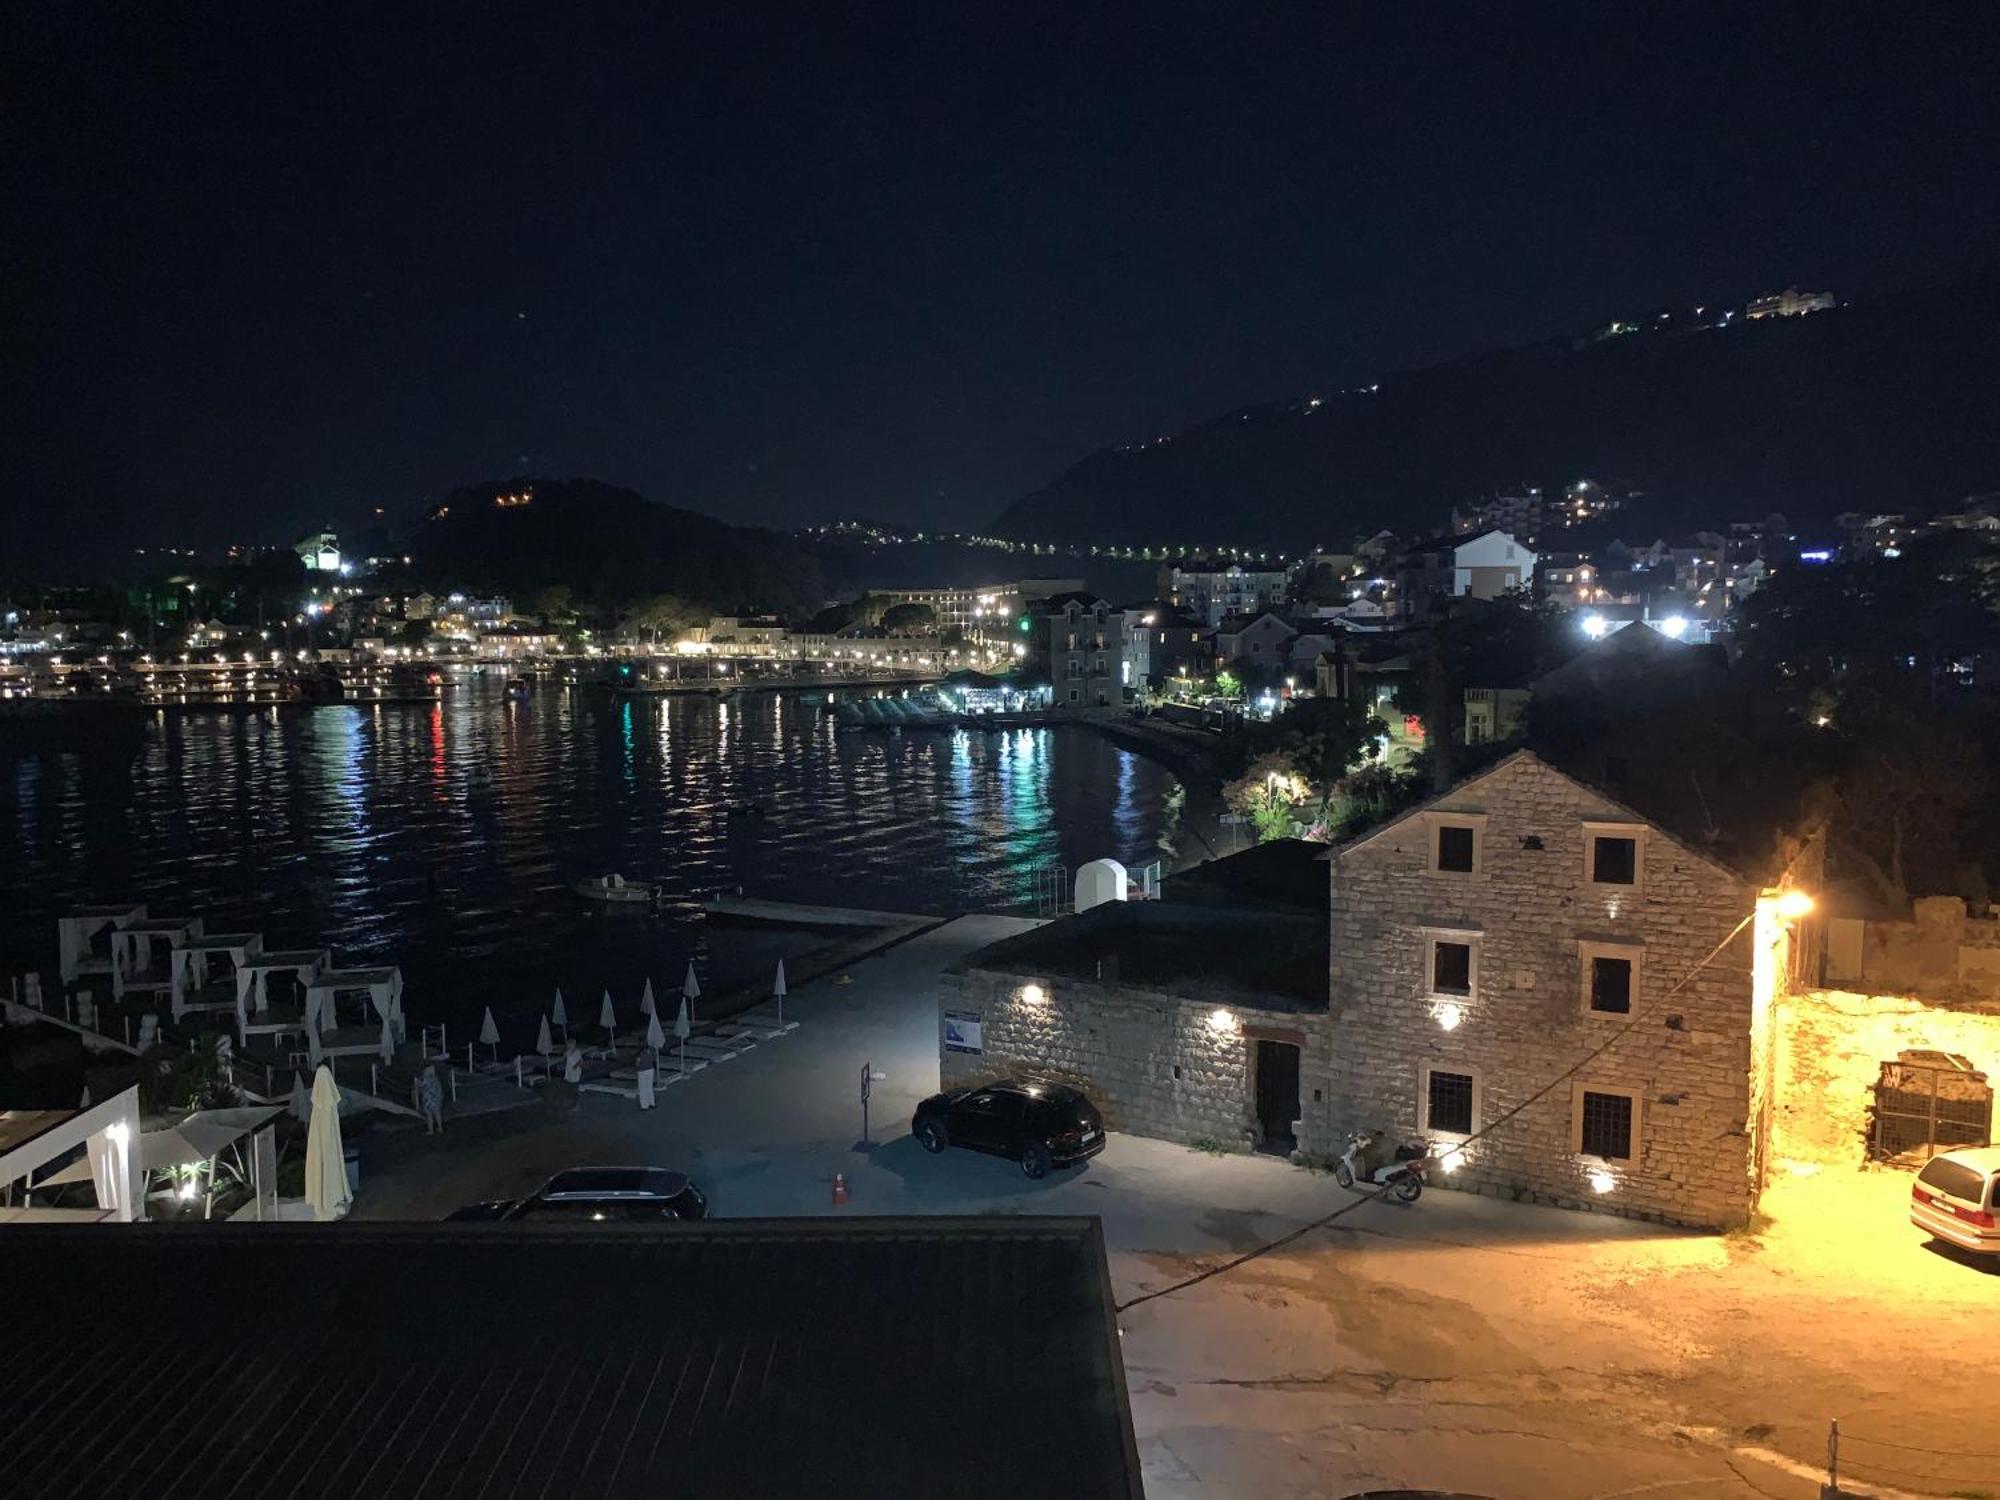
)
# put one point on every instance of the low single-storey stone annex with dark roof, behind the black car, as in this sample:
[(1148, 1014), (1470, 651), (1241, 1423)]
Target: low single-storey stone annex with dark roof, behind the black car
[(1185, 1019)]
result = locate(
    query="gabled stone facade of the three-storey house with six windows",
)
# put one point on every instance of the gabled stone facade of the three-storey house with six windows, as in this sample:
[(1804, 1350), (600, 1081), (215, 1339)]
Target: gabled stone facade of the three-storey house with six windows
[(1683, 1049)]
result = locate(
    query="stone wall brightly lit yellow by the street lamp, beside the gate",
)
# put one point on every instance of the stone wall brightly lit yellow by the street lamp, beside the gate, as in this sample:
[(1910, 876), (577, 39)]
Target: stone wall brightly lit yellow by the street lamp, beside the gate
[(1831, 1047)]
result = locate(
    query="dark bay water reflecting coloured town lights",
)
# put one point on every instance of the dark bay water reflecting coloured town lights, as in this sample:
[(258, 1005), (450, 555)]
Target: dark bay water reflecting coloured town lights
[(445, 839)]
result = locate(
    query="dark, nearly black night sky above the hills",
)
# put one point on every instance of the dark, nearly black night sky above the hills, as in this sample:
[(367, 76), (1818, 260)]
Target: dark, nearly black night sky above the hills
[(281, 263)]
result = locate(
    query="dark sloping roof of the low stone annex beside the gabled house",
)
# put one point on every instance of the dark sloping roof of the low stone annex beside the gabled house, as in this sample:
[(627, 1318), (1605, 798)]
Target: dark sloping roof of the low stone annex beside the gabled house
[(1249, 929)]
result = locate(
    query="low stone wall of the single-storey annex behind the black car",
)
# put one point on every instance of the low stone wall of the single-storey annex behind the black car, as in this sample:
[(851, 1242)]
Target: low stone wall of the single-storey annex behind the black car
[(1153, 1063)]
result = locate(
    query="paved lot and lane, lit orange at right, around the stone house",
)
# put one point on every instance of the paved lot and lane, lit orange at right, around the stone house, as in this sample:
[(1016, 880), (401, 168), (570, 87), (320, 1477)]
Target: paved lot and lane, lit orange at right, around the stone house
[(1459, 1343)]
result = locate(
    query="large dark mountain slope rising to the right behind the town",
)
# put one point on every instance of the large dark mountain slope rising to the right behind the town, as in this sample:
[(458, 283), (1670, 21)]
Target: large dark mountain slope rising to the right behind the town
[(1877, 405)]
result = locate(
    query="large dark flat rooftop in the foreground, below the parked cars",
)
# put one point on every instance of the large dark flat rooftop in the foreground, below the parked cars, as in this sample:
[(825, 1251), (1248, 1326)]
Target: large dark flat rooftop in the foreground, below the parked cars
[(873, 1357)]
